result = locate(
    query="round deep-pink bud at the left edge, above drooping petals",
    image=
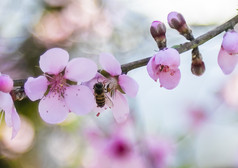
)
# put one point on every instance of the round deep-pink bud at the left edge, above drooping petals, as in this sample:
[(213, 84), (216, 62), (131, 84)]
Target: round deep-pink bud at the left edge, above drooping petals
[(6, 83)]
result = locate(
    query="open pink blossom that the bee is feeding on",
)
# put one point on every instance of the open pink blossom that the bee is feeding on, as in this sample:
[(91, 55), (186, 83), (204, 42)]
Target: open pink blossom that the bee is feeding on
[(116, 85)]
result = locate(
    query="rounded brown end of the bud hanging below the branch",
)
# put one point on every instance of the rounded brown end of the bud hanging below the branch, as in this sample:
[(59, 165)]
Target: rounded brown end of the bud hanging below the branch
[(198, 66)]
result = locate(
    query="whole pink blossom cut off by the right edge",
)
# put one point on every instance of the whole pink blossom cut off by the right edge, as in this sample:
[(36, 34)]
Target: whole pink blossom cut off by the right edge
[(228, 54)]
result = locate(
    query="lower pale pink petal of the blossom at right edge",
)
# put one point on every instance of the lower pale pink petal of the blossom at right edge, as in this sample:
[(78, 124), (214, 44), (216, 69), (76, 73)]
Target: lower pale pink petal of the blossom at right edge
[(226, 61)]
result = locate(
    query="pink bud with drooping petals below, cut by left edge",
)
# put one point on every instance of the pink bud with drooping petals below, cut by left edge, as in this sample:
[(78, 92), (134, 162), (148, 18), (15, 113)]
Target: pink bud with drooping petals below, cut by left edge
[(12, 118)]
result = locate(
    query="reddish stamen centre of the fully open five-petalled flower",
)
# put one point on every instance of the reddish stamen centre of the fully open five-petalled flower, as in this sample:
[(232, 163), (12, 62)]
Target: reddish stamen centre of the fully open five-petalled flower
[(57, 84)]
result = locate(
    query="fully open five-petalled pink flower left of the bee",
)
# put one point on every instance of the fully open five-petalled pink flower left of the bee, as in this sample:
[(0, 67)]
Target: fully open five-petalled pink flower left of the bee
[(55, 89)]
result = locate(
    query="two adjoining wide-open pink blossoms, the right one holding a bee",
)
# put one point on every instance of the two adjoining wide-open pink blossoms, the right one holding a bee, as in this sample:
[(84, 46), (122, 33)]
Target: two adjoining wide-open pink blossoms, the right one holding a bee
[(69, 86)]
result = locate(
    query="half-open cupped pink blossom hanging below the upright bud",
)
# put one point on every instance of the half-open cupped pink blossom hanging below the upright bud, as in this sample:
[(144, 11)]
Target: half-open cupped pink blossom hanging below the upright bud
[(164, 66)]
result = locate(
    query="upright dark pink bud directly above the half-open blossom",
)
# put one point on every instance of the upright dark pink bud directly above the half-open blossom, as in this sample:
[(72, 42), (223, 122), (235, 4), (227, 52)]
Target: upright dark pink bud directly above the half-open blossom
[(158, 31)]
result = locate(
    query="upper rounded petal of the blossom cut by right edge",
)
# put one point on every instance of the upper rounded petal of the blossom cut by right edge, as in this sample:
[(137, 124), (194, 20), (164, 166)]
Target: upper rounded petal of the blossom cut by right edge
[(230, 42)]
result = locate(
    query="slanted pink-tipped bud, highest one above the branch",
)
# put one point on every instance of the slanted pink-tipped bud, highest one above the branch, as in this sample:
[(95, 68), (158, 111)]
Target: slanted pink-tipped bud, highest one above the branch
[(177, 21)]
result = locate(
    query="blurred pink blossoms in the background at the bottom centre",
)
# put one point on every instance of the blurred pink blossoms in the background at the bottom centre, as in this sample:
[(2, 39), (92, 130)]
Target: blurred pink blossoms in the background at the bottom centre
[(116, 149)]
